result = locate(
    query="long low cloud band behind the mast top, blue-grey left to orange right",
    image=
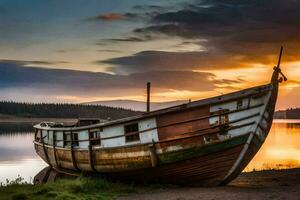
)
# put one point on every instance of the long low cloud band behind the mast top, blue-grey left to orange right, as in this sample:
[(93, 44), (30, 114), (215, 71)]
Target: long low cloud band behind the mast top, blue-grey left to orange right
[(71, 82)]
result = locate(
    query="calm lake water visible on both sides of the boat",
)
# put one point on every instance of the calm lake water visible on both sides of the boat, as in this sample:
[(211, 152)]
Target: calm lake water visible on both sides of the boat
[(280, 150)]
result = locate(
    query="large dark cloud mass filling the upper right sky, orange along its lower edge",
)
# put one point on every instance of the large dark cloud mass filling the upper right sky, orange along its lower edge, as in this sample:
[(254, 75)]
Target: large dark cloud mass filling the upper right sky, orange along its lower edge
[(234, 34)]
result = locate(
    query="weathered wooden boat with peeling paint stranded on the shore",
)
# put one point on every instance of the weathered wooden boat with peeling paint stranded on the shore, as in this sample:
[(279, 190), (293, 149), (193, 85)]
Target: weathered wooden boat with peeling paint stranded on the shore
[(206, 142)]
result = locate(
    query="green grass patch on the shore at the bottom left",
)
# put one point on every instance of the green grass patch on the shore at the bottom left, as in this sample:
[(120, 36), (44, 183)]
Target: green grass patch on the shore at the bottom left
[(80, 188)]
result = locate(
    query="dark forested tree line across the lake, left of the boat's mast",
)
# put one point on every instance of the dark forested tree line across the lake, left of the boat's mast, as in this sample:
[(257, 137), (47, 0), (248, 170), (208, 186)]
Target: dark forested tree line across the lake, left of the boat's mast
[(62, 110)]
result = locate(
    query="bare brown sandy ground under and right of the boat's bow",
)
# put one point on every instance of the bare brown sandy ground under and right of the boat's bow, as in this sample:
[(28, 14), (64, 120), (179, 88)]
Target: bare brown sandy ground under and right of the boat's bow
[(271, 184)]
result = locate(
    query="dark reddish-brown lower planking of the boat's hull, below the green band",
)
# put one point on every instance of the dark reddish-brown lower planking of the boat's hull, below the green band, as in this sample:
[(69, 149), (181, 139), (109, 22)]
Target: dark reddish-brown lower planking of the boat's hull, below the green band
[(203, 170)]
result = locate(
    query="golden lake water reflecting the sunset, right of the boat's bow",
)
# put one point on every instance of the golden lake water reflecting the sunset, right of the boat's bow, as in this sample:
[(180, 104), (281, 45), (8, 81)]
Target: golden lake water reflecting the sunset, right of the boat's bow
[(281, 149)]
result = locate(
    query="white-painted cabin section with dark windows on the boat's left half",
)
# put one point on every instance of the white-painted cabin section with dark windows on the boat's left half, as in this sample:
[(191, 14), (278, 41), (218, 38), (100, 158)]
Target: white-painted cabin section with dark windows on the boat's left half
[(106, 136)]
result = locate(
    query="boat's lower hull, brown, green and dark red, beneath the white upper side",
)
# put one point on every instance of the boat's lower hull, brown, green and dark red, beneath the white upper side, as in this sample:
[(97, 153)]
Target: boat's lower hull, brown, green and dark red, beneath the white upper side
[(205, 165)]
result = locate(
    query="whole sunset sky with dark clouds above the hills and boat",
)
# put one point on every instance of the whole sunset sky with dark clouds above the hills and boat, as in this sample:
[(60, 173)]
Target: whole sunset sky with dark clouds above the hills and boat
[(81, 51)]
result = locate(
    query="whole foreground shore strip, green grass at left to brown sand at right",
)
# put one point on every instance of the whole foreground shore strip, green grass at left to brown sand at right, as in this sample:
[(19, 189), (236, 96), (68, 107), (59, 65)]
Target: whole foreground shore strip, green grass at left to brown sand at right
[(268, 184)]
